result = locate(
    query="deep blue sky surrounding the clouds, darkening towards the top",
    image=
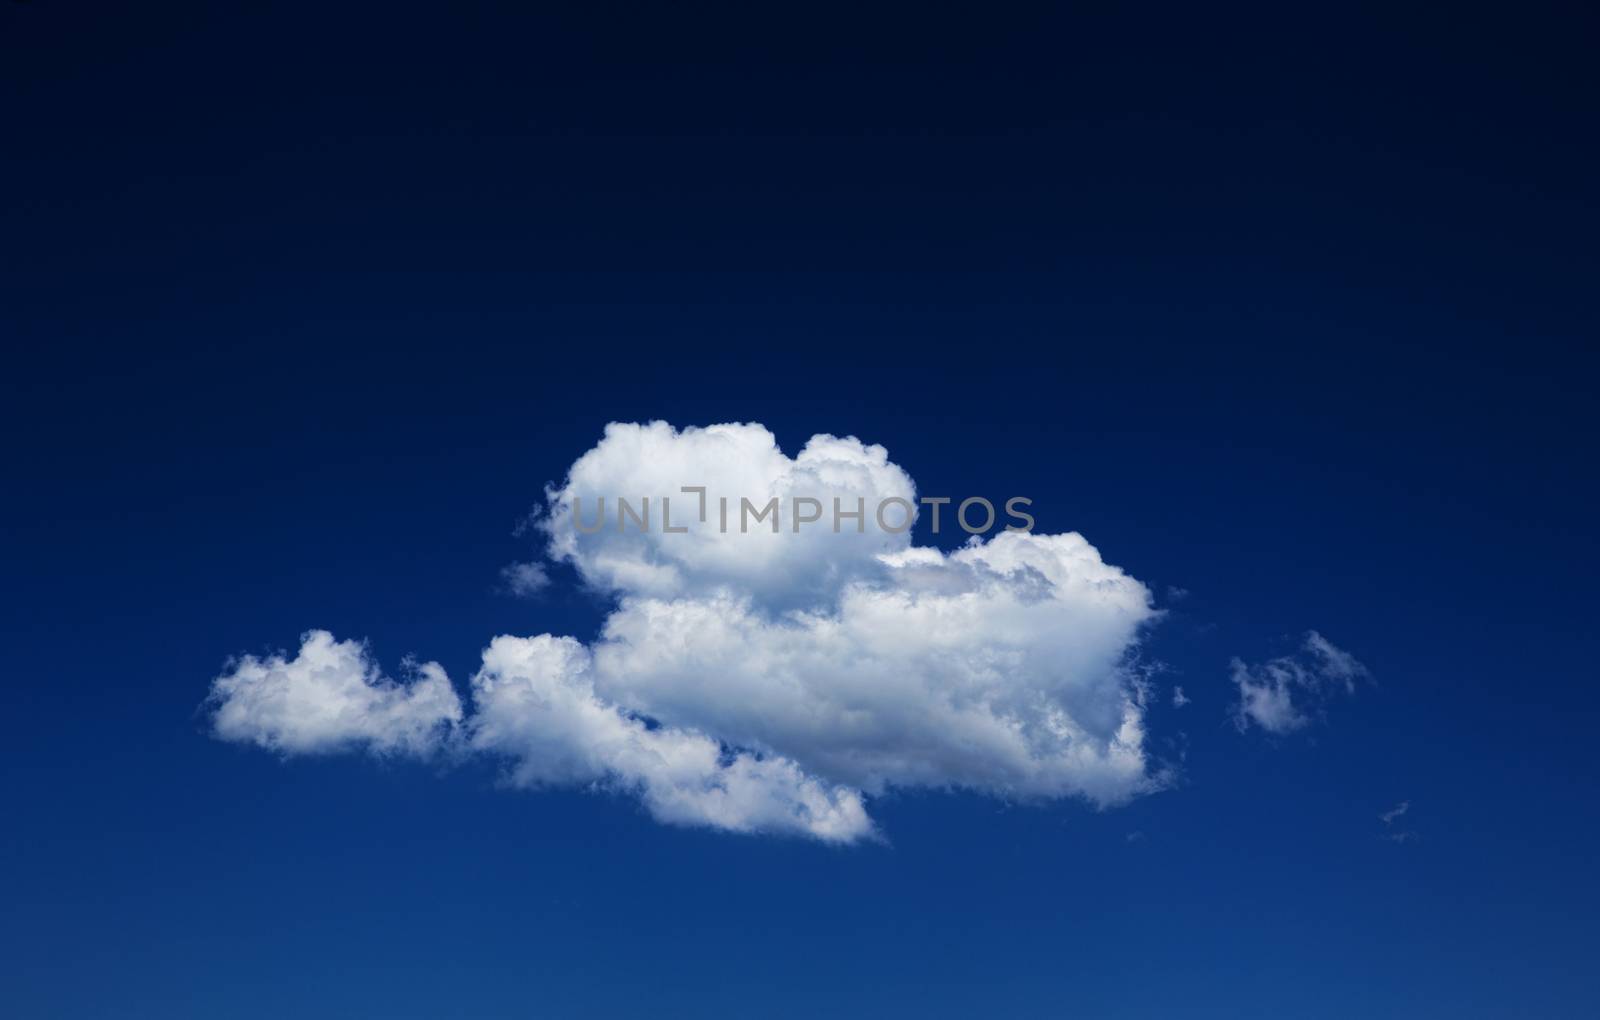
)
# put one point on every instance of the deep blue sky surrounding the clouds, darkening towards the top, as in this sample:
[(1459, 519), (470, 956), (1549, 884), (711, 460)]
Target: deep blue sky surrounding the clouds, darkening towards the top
[(303, 309)]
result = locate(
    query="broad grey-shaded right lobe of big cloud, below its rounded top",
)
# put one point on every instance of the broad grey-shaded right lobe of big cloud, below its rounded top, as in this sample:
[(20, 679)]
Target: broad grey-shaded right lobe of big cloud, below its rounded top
[(994, 669)]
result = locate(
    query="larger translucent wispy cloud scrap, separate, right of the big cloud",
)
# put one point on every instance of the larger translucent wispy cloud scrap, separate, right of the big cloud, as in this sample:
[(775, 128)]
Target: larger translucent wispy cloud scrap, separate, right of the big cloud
[(1282, 695)]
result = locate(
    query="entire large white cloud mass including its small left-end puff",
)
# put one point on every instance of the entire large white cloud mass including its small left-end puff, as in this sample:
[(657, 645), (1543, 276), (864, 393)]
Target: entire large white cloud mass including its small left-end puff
[(759, 682)]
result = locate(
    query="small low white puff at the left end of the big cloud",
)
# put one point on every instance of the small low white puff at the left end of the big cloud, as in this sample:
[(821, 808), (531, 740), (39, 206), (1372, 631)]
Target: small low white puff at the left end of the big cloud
[(332, 698)]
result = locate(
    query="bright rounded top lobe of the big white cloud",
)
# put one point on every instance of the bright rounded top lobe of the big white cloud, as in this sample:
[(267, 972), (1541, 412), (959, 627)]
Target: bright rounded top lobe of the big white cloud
[(726, 546)]
